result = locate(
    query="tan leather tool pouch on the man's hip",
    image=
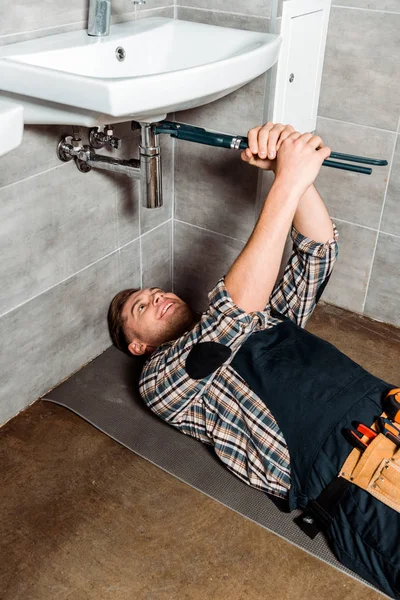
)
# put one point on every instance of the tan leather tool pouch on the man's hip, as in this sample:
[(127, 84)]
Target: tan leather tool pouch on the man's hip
[(376, 470)]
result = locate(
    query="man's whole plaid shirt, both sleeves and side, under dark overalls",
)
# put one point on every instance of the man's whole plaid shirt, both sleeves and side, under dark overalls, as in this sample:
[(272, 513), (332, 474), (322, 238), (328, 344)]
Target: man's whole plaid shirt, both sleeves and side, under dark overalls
[(221, 409)]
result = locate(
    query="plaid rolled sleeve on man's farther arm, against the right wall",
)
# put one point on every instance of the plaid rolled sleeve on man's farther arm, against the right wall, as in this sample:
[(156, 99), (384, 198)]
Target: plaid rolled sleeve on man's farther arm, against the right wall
[(306, 274)]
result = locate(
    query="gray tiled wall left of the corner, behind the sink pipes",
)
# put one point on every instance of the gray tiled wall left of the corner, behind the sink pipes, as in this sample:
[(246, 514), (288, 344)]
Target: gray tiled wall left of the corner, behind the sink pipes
[(68, 241)]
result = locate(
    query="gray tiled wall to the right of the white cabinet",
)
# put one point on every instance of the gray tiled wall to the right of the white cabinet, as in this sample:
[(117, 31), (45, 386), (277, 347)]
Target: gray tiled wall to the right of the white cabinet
[(359, 113)]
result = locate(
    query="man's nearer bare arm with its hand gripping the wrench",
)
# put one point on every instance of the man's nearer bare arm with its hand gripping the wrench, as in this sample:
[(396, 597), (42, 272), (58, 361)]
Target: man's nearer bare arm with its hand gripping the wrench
[(251, 278)]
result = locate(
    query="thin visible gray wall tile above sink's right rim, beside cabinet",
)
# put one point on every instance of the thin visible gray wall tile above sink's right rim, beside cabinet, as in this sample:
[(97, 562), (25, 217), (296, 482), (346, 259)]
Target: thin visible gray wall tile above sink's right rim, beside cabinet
[(224, 19)]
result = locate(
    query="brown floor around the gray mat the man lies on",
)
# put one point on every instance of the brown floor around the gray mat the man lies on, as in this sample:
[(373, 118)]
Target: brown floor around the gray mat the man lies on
[(83, 518)]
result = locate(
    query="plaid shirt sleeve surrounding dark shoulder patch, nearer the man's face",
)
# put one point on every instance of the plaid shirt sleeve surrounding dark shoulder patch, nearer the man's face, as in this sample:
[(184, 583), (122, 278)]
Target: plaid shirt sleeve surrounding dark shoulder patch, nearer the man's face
[(165, 385)]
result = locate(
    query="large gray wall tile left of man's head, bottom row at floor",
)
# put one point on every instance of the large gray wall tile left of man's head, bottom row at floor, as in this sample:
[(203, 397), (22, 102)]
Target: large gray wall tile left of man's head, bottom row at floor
[(56, 333)]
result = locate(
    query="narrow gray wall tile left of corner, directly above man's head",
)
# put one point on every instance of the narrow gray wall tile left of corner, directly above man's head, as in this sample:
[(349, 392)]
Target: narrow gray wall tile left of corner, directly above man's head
[(157, 256)]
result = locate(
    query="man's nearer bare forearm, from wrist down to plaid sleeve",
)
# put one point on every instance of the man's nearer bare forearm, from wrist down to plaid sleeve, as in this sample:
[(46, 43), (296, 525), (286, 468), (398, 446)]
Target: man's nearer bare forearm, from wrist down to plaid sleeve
[(251, 278)]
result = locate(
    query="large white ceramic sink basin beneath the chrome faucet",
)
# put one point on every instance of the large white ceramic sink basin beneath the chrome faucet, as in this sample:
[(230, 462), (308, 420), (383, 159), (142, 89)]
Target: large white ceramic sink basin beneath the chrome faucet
[(168, 64)]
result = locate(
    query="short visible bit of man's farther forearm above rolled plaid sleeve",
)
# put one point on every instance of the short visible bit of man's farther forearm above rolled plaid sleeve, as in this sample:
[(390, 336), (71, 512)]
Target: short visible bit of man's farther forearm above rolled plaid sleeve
[(312, 218)]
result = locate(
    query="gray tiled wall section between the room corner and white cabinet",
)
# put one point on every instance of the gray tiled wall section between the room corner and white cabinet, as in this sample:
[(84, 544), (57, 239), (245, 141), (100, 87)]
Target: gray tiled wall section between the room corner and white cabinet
[(215, 193)]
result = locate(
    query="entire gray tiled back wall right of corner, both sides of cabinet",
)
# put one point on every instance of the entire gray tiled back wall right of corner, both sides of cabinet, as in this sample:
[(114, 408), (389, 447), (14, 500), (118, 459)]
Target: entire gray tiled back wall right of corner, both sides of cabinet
[(358, 113)]
